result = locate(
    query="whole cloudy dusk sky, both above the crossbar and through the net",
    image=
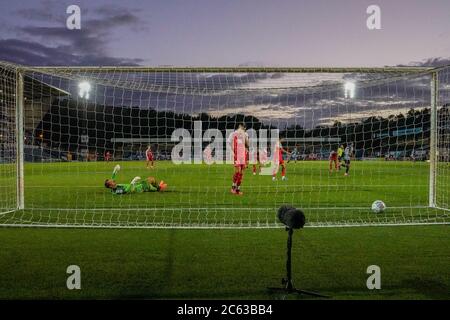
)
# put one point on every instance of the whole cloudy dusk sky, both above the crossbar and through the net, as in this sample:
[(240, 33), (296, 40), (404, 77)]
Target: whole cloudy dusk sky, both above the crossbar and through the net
[(309, 33)]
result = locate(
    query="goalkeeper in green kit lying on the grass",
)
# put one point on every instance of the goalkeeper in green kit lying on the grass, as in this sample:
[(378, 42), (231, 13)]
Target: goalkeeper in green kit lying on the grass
[(136, 185)]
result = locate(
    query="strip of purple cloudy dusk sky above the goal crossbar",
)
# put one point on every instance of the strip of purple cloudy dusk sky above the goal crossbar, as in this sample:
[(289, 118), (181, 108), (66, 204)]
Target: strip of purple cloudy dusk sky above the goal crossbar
[(225, 32)]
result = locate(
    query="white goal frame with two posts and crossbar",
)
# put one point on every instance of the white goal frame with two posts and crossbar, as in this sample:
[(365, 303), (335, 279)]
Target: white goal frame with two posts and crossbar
[(21, 71)]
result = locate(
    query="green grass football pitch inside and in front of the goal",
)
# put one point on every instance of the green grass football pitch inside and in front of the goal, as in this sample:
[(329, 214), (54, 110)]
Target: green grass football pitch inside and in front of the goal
[(230, 263)]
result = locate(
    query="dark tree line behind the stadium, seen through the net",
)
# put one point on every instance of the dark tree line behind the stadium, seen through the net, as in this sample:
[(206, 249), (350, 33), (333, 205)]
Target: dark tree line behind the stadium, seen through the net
[(68, 128)]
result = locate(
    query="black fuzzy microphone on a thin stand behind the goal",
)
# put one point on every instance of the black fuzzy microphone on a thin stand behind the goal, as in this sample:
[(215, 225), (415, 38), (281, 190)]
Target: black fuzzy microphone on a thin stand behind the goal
[(292, 218)]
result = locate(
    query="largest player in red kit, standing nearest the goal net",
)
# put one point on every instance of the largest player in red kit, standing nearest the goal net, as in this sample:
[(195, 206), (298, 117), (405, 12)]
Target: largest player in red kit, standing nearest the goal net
[(239, 146)]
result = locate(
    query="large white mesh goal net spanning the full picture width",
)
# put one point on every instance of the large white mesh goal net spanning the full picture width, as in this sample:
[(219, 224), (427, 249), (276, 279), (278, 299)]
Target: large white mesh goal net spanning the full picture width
[(328, 141)]
